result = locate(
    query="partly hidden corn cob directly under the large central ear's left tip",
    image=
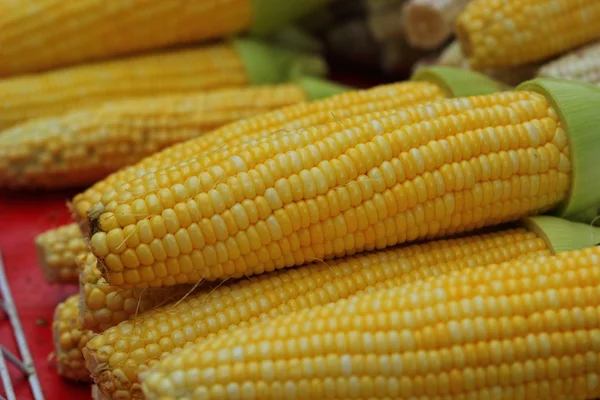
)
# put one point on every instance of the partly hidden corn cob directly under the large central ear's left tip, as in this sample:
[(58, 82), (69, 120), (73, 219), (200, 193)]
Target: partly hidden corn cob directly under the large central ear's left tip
[(103, 305)]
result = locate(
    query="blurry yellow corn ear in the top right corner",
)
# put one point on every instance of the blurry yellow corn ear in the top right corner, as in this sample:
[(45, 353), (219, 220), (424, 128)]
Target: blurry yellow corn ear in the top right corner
[(498, 33)]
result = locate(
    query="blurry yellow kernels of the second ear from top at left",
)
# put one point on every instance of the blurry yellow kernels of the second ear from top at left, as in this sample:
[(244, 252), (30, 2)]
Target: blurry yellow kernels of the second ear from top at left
[(86, 86)]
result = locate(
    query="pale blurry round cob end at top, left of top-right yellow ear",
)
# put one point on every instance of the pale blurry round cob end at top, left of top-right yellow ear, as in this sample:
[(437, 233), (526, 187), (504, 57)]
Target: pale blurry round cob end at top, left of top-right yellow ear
[(429, 23)]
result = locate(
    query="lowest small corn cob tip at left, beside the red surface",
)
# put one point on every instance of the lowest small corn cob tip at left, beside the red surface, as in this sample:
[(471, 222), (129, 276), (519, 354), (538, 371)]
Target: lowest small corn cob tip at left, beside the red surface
[(69, 339)]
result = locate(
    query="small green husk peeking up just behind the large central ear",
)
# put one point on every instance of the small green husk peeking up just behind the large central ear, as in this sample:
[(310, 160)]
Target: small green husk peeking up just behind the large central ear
[(458, 82)]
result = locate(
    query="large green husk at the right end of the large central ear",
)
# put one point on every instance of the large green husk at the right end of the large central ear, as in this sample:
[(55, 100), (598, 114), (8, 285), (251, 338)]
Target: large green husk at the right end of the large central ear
[(578, 106)]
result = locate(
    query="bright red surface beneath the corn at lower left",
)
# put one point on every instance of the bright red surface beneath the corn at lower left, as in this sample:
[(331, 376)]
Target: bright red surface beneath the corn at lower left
[(22, 217)]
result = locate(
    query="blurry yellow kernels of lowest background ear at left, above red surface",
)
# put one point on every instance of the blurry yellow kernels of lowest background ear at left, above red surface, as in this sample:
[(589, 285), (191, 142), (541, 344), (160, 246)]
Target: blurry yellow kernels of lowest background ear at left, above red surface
[(82, 147)]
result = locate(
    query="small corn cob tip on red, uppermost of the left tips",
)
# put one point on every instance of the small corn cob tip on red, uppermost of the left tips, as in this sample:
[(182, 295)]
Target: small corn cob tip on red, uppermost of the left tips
[(58, 250)]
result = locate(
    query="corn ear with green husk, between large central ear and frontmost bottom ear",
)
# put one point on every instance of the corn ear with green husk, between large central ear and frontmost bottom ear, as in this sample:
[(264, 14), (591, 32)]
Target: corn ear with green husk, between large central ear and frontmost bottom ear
[(116, 356)]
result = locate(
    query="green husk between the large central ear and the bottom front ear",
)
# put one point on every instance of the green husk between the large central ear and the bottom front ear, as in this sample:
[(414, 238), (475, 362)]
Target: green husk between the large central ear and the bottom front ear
[(563, 235)]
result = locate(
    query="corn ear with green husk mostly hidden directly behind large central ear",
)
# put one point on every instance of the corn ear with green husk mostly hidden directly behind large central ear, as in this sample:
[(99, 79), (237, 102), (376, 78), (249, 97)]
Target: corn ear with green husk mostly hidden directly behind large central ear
[(436, 84)]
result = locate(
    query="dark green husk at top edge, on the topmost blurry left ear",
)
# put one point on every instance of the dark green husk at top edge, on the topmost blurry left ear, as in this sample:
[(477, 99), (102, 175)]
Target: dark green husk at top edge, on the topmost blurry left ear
[(268, 15)]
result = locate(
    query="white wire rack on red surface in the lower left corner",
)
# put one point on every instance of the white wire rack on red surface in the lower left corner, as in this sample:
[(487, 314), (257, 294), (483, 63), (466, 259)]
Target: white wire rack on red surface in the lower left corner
[(25, 362)]
